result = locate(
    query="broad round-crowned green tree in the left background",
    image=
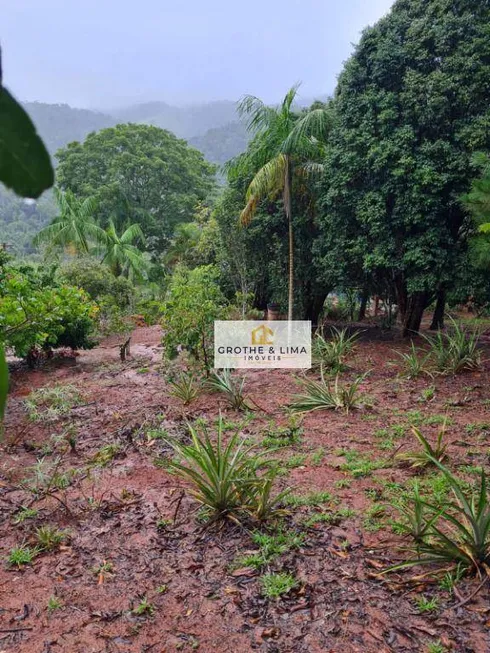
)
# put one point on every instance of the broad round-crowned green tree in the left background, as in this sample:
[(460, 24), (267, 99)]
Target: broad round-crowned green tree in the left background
[(138, 174)]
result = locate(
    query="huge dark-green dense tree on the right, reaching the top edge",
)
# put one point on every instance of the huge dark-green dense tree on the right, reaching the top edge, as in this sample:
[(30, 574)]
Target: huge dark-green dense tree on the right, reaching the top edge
[(412, 104)]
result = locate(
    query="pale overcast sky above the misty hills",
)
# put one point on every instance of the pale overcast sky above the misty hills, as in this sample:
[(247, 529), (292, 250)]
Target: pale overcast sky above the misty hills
[(105, 53)]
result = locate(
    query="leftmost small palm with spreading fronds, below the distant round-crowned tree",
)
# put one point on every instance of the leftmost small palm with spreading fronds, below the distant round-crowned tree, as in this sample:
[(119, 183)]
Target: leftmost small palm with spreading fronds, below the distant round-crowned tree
[(75, 226)]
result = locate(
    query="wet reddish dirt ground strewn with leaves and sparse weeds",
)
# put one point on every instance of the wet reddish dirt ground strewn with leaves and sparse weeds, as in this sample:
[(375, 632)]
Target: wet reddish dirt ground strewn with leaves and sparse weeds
[(132, 515)]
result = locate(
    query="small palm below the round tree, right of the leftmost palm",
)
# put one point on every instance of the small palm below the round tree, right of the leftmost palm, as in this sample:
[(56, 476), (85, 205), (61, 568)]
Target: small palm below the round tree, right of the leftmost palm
[(121, 254)]
